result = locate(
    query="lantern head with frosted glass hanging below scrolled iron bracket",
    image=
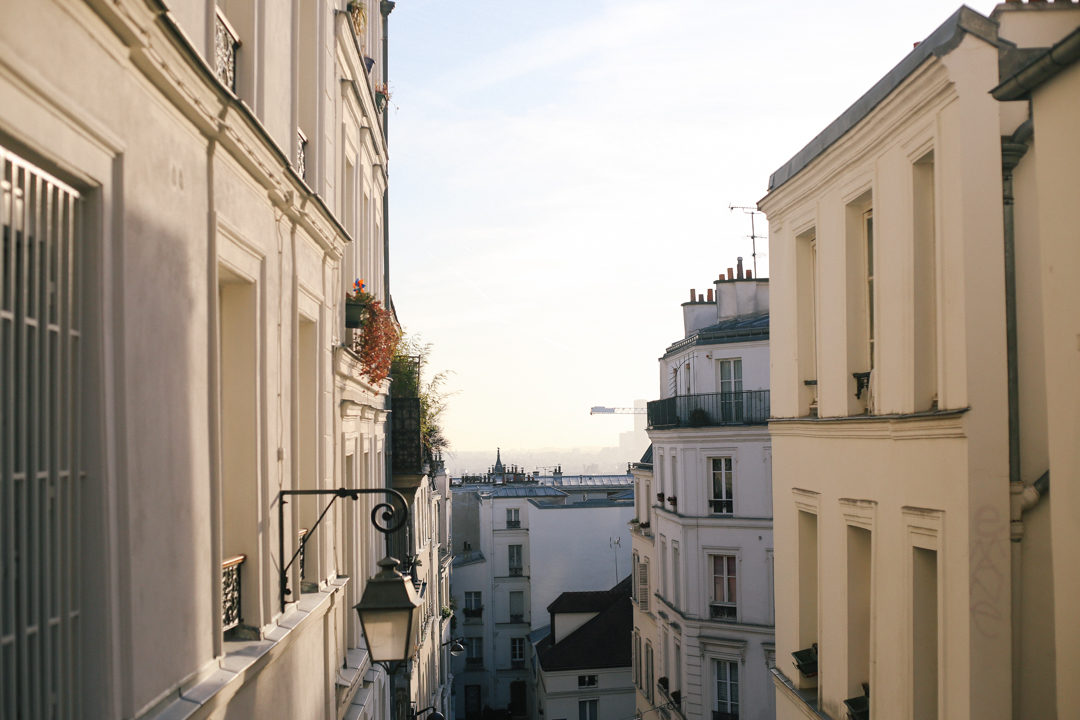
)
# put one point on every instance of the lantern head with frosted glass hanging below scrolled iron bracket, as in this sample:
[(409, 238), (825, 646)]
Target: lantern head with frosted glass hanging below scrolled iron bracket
[(386, 614)]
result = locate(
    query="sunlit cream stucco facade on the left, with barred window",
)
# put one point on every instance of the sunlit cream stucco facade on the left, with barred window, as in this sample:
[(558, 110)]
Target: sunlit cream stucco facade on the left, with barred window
[(190, 191)]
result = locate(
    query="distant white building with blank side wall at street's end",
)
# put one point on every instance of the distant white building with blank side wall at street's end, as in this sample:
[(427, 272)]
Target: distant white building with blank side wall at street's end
[(525, 548)]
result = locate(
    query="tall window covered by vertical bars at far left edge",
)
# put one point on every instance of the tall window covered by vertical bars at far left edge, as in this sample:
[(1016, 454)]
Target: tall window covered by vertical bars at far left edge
[(40, 478)]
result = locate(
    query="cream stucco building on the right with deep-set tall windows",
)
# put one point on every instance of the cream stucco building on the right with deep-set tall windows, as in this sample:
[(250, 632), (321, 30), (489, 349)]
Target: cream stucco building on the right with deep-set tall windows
[(913, 364)]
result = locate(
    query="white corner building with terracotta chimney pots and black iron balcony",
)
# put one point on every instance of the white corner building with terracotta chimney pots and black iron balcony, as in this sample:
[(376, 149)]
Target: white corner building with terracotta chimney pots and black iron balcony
[(704, 639)]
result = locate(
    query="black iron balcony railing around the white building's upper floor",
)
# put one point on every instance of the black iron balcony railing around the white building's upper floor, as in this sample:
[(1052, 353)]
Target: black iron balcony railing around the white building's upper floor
[(710, 411)]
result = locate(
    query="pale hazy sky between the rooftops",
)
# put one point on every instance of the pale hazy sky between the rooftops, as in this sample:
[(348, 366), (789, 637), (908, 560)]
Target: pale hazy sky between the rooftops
[(561, 174)]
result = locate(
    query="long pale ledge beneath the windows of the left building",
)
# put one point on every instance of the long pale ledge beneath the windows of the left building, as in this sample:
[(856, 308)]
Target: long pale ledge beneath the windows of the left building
[(245, 660)]
